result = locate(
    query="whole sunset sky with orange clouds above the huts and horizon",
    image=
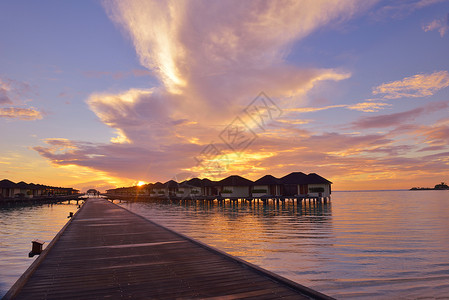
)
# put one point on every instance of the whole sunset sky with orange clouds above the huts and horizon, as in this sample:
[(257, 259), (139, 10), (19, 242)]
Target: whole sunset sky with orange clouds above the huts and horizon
[(105, 94)]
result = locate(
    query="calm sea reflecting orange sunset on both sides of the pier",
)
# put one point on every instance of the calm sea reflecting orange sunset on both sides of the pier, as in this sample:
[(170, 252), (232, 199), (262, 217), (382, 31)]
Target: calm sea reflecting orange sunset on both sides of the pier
[(363, 245)]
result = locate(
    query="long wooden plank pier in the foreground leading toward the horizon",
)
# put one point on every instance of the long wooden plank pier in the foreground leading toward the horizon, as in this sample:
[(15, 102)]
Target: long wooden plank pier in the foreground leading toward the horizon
[(105, 251)]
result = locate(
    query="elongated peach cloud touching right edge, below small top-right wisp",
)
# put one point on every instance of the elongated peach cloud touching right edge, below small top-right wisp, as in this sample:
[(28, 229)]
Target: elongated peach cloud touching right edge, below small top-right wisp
[(420, 85)]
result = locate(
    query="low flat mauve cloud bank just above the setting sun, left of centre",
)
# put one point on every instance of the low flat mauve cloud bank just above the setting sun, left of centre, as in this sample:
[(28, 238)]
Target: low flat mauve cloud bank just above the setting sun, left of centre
[(122, 160)]
